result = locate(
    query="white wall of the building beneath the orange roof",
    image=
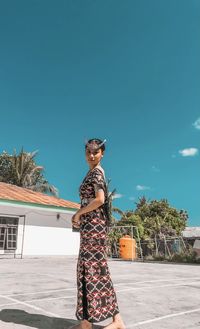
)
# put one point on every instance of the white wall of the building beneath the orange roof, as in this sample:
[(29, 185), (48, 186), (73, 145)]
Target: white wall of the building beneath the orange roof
[(40, 232)]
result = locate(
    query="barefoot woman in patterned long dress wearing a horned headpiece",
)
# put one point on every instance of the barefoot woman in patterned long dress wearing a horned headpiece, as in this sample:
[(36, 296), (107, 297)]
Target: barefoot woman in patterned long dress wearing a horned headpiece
[(96, 299)]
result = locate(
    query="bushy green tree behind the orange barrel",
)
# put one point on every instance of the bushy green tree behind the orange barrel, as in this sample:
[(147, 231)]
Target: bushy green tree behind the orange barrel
[(154, 221)]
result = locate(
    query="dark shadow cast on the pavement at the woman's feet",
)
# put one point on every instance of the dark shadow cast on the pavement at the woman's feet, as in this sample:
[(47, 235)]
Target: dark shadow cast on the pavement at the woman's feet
[(38, 321)]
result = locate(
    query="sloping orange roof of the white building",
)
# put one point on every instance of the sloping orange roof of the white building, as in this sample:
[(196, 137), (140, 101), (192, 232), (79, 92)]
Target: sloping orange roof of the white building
[(16, 193)]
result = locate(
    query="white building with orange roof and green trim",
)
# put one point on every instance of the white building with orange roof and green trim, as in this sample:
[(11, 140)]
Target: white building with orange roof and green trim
[(33, 223)]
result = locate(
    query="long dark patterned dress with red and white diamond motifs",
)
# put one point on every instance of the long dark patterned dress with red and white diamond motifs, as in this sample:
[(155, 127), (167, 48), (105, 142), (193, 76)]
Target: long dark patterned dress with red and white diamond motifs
[(96, 298)]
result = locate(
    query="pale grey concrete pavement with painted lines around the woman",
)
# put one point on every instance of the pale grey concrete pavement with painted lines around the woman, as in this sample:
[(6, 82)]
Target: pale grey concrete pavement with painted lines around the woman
[(40, 292)]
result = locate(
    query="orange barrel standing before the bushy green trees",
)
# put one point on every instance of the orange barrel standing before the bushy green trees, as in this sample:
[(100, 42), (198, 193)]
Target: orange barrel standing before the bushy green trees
[(127, 247)]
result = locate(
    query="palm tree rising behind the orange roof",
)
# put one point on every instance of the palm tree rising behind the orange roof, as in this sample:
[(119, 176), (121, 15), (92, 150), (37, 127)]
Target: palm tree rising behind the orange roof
[(22, 170)]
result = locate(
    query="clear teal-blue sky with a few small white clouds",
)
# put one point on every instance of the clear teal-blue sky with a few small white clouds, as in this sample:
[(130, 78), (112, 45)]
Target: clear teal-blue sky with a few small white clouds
[(127, 71)]
